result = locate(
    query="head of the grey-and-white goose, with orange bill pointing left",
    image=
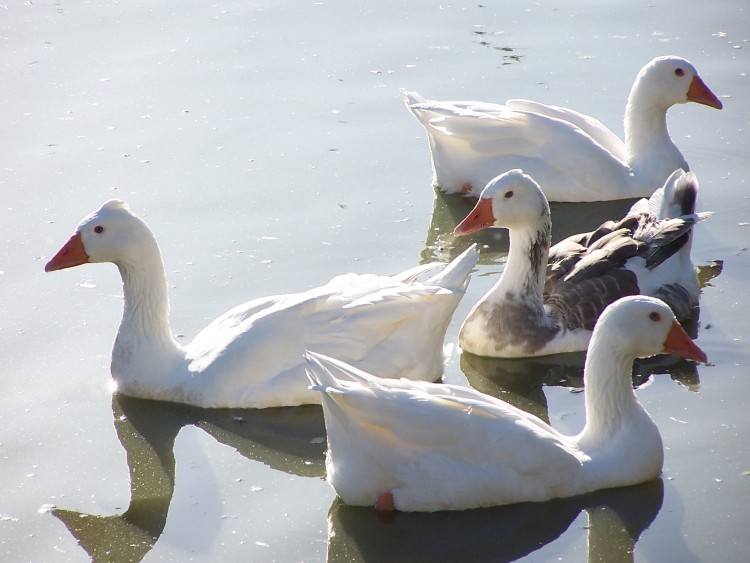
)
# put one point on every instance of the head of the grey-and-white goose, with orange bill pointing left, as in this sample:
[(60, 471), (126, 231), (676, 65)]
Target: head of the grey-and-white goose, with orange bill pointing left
[(511, 200)]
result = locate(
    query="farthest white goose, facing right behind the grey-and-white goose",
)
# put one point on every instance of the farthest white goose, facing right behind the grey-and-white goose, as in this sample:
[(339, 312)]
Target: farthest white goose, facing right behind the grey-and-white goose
[(574, 156)]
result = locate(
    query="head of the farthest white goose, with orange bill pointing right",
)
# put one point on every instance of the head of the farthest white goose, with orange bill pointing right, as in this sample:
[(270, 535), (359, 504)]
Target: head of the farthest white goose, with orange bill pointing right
[(666, 81)]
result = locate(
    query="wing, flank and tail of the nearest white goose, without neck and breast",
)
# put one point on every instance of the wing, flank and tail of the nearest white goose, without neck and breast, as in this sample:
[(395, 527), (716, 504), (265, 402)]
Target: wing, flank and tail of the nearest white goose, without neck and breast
[(435, 446)]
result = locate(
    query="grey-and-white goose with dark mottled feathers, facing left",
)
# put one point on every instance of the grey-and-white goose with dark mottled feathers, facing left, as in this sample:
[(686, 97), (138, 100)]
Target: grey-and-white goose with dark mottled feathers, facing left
[(548, 300)]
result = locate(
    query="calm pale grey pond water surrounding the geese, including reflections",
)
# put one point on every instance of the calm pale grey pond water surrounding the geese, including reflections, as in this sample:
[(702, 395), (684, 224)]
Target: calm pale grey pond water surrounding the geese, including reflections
[(267, 145)]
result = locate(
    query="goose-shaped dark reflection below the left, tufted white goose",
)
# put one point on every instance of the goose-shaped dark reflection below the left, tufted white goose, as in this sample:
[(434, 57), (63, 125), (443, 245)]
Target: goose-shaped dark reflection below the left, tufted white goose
[(290, 439)]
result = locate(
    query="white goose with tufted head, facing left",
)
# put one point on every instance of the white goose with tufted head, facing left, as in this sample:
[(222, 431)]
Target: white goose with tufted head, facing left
[(252, 355)]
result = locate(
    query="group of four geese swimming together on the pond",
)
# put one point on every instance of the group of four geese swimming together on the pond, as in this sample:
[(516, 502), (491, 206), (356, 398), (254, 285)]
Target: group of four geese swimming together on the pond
[(370, 348)]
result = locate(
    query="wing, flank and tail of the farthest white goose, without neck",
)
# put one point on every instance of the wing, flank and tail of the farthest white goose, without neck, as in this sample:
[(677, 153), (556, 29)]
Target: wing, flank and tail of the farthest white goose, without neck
[(566, 152)]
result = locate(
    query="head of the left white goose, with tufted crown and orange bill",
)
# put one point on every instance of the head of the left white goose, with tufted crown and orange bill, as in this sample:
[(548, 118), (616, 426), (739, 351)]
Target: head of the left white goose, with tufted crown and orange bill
[(112, 233)]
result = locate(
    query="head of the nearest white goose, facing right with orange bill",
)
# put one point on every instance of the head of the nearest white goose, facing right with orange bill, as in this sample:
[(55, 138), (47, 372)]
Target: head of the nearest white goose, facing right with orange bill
[(642, 326)]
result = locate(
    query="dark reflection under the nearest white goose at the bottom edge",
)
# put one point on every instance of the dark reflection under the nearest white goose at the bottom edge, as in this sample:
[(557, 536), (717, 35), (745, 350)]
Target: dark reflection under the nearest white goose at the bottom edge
[(617, 518)]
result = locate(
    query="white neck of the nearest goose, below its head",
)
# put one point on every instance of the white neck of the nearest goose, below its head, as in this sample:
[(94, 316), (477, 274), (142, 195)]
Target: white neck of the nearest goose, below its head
[(610, 398)]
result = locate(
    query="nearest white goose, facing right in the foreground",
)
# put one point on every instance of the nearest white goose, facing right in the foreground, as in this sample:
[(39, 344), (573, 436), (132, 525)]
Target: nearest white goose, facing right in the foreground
[(395, 444)]
